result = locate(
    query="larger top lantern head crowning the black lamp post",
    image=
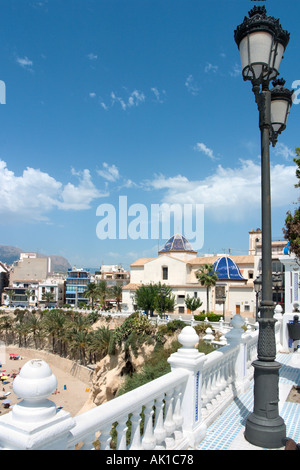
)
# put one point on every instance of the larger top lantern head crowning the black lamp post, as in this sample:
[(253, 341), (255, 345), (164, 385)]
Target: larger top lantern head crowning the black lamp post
[(261, 42)]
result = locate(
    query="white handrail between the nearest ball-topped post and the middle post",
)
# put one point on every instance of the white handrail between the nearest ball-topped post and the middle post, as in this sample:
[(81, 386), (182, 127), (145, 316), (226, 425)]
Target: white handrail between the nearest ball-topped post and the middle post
[(91, 421)]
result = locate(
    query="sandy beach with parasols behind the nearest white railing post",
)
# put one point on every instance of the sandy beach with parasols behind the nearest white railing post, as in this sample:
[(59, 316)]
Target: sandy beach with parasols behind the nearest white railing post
[(71, 394)]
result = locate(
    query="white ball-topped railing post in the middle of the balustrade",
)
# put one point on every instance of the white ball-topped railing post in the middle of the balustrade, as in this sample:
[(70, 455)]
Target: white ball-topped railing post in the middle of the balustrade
[(188, 358)]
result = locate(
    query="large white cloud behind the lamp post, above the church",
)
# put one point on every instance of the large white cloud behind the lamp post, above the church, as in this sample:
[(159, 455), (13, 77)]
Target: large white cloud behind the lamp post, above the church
[(229, 193)]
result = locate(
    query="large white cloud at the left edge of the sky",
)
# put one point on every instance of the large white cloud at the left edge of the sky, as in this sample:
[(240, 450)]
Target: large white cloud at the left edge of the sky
[(34, 193)]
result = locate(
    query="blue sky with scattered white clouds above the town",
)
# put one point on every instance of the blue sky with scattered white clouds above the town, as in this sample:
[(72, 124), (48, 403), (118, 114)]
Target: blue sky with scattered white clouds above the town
[(135, 98)]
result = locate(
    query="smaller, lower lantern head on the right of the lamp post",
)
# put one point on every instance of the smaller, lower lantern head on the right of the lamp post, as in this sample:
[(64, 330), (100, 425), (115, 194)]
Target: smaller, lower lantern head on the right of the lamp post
[(281, 102)]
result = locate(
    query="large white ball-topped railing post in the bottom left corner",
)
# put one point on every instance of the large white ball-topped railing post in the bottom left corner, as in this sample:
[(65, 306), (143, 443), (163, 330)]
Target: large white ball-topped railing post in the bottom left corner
[(35, 423)]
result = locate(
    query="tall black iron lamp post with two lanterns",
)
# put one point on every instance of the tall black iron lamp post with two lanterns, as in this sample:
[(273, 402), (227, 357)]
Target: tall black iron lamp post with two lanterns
[(262, 42)]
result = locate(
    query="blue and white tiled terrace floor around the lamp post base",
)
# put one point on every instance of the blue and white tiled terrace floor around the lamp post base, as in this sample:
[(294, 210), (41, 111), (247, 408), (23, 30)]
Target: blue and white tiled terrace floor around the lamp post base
[(227, 432)]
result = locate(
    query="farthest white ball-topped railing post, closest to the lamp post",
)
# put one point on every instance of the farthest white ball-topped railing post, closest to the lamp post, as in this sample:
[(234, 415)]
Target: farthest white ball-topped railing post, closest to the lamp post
[(234, 337)]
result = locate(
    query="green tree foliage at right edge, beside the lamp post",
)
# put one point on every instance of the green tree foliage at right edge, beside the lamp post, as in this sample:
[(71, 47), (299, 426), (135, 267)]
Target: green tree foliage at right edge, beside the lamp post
[(292, 222)]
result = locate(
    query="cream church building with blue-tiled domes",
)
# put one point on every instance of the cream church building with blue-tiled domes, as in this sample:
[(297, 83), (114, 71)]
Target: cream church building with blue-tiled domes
[(176, 266)]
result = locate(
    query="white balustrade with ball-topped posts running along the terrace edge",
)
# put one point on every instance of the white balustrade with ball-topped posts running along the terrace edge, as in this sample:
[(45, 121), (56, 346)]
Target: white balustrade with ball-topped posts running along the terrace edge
[(175, 409)]
